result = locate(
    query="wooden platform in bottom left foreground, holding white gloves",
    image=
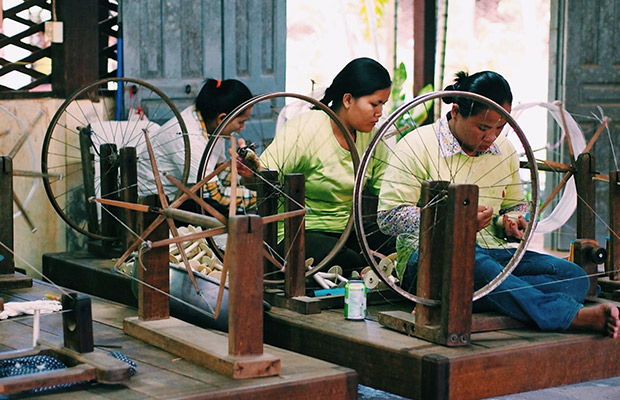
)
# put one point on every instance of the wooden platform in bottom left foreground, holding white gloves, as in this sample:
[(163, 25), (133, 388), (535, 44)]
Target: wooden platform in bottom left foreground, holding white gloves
[(162, 375)]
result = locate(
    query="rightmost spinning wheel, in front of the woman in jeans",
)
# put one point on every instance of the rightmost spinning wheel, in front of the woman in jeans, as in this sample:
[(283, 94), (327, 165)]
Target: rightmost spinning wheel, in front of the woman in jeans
[(399, 126)]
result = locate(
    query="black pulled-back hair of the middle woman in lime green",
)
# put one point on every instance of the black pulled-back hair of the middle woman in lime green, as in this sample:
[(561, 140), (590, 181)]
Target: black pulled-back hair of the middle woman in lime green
[(360, 77)]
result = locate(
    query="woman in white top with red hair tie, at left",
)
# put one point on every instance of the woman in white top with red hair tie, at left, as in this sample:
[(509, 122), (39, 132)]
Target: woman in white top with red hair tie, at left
[(214, 101)]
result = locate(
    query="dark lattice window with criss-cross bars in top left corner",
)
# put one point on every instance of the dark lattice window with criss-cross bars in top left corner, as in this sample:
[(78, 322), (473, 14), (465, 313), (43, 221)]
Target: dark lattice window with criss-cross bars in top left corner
[(27, 55)]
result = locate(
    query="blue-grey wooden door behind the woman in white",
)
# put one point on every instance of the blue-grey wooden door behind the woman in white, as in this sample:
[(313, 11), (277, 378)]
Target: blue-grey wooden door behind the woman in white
[(177, 44)]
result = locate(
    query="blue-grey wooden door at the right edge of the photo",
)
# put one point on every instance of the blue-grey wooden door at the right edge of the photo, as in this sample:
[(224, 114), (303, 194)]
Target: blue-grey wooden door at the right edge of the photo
[(585, 75)]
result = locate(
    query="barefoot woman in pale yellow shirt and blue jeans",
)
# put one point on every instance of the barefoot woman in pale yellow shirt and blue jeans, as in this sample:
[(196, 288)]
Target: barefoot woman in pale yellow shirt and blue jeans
[(544, 290)]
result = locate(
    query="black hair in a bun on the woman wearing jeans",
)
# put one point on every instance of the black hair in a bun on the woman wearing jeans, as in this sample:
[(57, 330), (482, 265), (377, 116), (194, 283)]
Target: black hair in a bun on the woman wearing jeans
[(486, 83)]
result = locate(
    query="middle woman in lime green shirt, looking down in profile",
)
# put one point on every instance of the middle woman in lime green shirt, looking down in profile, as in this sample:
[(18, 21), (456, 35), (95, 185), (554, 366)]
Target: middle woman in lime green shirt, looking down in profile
[(311, 143)]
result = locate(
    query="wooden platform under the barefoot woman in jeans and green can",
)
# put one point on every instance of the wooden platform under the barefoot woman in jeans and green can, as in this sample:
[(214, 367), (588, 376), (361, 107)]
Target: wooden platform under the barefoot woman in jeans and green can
[(496, 363)]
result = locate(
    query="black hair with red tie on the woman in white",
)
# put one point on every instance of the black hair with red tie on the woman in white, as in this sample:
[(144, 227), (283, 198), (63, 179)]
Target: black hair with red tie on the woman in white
[(216, 97)]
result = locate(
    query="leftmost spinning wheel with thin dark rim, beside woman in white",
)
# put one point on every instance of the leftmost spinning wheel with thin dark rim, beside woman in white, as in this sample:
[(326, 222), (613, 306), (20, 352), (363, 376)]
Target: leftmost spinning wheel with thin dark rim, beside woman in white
[(84, 145)]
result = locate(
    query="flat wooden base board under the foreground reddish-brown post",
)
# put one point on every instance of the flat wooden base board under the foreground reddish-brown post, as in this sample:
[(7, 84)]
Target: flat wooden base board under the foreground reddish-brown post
[(205, 347)]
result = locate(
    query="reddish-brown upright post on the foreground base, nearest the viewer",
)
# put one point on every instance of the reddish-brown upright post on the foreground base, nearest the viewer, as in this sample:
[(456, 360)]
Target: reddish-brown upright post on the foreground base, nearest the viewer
[(245, 290)]
